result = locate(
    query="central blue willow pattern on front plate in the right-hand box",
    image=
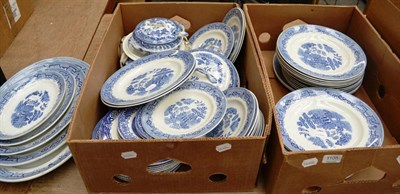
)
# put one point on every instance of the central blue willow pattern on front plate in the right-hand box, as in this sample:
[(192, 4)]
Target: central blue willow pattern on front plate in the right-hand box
[(324, 128)]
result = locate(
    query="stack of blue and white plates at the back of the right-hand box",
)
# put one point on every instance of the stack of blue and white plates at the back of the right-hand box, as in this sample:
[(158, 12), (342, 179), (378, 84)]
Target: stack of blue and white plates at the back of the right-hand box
[(311, 55)]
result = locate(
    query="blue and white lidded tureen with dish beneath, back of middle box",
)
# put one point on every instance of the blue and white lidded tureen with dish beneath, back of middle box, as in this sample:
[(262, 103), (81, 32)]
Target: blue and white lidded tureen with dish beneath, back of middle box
[(152, 36)]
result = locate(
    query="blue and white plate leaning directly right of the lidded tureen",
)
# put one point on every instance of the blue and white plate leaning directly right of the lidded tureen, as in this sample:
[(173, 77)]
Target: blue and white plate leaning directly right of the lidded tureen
[(216, 36)]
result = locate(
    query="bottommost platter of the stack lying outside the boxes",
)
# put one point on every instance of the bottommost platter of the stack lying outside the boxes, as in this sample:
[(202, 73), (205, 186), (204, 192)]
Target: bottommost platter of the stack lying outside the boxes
[(35, 169)]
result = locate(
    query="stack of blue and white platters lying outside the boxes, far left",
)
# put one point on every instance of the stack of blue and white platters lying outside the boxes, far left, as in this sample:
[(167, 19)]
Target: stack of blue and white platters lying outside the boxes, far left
[(36, 107)]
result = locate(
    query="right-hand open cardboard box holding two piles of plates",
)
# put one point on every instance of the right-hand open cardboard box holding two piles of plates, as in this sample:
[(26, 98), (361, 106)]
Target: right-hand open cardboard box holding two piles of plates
[(358, 170)]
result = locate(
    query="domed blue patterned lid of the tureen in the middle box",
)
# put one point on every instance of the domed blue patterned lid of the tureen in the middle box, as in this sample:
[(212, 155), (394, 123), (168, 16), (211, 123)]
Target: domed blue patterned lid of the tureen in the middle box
[(157, 30)]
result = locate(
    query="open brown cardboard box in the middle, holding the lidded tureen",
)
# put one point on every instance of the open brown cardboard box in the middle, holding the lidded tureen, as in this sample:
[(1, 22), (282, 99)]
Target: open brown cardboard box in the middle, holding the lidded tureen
[(100, 162)]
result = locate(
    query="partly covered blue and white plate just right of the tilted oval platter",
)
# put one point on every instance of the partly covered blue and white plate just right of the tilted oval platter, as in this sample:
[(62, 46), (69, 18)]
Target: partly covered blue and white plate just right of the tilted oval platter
[(216, 69)]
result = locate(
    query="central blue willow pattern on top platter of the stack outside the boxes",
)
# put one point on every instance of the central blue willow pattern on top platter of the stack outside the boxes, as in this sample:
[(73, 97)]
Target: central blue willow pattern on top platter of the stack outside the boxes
[(30, 109)]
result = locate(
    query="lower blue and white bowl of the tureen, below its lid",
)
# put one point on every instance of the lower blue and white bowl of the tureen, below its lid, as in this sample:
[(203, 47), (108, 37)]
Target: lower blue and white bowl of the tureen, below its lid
[(146, 48)]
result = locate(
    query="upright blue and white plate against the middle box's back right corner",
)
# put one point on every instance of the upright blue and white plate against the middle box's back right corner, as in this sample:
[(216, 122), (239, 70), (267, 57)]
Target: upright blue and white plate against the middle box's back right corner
[(235, 19)]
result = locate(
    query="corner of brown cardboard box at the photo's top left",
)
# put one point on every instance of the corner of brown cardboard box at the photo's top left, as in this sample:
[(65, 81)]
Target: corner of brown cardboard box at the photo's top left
[(12, 18)]
